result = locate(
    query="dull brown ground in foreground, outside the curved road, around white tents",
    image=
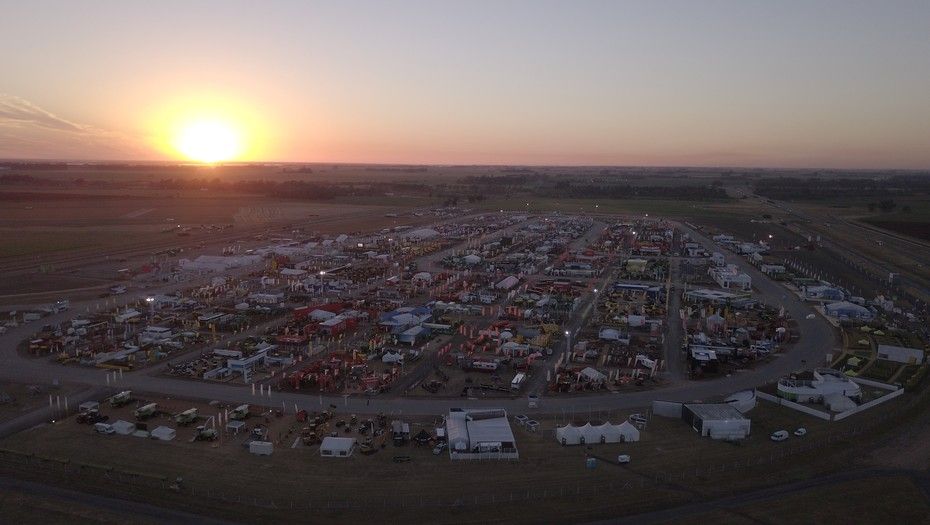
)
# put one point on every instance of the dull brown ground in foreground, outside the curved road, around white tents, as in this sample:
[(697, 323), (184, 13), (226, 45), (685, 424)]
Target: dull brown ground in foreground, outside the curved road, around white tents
[(550, 482)]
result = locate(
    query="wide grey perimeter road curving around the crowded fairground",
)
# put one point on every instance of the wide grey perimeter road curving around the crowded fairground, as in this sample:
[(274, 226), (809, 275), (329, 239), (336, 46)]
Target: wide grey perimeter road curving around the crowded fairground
[(817, 339)]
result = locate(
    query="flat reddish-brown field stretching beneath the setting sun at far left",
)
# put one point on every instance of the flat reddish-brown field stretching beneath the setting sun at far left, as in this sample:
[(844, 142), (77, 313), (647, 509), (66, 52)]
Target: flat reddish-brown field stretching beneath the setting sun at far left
[(47, 223)]
